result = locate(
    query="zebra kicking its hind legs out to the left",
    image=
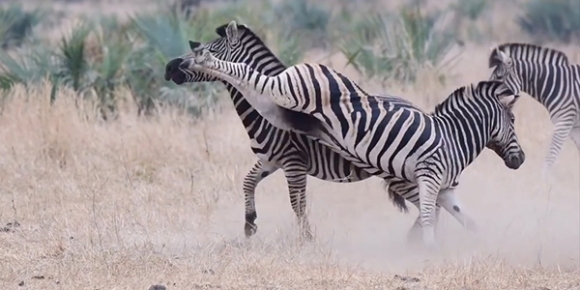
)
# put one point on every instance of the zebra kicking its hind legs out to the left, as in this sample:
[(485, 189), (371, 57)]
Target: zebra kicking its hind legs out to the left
[(397, 143)]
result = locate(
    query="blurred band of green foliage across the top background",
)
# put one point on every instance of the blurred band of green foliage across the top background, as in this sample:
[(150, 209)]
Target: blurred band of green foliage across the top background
[(103, 55)]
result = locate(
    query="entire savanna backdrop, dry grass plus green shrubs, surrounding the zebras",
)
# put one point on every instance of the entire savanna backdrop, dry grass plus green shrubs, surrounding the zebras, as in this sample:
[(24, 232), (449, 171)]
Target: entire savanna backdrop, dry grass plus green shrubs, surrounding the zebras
[(113, 178)]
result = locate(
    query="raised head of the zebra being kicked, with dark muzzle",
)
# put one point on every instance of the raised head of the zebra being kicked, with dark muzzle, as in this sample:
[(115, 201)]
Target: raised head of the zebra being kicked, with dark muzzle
[(228, 46)]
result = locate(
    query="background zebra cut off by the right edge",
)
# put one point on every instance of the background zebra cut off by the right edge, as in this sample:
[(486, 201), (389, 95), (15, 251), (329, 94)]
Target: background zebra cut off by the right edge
[(547, 75)]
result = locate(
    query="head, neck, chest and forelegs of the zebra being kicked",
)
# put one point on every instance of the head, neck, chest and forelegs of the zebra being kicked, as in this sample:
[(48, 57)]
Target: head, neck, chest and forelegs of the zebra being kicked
[(276, 149)]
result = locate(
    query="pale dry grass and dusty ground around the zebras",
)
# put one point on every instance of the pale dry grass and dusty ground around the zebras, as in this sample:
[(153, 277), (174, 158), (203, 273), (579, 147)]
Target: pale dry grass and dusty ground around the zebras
[(132, 203)]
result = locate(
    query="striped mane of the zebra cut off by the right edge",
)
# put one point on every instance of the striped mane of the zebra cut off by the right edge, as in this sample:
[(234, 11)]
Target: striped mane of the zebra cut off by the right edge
[(528, 52)]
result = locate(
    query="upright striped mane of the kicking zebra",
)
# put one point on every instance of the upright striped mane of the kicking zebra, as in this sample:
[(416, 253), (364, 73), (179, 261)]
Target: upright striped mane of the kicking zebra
[(464, 94)]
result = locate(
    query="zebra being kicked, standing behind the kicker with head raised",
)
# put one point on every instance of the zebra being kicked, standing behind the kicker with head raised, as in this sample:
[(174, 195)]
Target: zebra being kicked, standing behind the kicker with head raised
[(244, 45)]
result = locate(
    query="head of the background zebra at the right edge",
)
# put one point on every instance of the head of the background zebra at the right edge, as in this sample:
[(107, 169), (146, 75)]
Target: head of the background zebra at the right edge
[(505, 71)]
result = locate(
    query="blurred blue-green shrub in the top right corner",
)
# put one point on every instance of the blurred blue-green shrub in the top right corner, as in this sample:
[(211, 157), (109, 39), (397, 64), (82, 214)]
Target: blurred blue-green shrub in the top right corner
[(551, 20)]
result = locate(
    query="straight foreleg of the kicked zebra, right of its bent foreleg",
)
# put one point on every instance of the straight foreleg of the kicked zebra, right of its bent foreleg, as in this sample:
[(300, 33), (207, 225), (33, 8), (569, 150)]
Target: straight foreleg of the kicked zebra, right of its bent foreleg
[(296, 174)]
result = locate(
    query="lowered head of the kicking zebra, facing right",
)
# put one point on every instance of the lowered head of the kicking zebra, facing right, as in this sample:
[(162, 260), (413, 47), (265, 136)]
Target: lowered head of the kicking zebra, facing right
[(504, 141)]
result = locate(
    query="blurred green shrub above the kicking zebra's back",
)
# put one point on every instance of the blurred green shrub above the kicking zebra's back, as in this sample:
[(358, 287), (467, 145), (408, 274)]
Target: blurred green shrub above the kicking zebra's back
[(397, 47)]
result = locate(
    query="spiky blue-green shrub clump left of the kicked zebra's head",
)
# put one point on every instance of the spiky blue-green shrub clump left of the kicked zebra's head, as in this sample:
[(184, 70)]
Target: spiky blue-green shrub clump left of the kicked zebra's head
[(99, 57)]
